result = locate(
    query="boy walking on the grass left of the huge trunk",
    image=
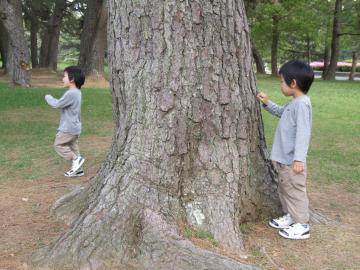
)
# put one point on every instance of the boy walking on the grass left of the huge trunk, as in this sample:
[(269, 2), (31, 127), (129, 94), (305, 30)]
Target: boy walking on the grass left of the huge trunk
[(66, 141)]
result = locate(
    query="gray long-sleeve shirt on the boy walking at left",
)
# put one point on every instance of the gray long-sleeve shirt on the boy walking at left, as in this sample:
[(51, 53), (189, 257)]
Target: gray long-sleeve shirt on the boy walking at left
[(70, 103)]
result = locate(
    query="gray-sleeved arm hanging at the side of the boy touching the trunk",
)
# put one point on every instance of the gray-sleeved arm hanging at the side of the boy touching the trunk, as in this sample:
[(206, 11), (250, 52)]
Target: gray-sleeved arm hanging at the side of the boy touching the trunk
[(303, 135)]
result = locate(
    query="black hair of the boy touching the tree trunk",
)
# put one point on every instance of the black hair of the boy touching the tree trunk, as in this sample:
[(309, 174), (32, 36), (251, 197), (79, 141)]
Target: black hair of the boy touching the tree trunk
[(299, 71)]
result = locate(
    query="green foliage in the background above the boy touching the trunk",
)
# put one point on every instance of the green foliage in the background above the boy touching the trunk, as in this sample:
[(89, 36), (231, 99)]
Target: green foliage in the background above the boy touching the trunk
[(305, 26)]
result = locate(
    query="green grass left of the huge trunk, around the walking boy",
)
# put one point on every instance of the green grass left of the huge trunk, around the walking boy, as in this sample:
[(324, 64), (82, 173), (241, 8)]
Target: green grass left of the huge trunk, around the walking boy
[(28, 127)]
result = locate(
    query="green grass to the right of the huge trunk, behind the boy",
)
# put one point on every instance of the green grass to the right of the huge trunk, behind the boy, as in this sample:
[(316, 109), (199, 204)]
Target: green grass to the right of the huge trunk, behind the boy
[(335, 146)]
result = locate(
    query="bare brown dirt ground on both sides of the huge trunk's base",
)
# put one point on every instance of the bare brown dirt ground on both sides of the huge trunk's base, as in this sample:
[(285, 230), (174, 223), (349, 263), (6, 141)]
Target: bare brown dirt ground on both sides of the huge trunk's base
[(27, 224)]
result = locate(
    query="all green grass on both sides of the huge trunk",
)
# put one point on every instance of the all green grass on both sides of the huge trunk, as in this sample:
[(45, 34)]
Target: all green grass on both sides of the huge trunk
[(28, 127)]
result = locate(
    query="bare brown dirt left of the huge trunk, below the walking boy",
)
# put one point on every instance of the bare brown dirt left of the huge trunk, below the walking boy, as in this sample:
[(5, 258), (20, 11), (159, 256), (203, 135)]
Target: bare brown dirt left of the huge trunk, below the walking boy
[(26, 222)]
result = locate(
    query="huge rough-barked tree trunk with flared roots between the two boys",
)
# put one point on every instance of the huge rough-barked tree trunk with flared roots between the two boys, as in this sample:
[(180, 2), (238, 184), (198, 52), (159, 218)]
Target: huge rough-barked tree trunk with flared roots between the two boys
[(188, 144)]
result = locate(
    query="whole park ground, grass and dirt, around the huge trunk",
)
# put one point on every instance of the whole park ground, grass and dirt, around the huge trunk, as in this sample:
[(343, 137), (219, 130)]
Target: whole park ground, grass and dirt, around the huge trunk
[(31, 177)]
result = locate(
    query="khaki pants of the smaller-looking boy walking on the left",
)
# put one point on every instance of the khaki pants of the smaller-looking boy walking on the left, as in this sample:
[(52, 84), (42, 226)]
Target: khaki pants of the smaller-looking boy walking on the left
[(66, 145)]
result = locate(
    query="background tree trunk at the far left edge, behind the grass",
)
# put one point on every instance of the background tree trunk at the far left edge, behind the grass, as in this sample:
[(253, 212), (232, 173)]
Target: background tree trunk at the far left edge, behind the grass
[(17, 53)]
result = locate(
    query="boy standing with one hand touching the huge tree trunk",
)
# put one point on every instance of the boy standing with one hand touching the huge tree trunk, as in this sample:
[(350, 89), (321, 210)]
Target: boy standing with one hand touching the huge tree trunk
[(290, 147)]
